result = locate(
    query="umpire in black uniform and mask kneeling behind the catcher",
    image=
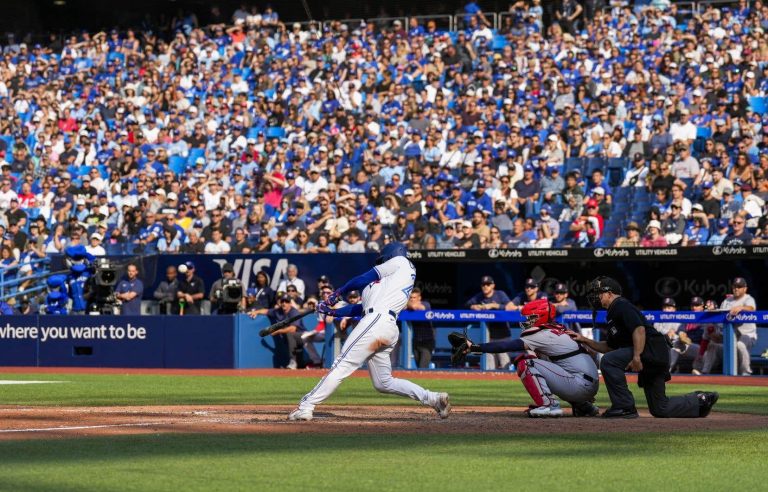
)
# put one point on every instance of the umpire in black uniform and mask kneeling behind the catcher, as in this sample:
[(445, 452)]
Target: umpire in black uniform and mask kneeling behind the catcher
[(622, 319)]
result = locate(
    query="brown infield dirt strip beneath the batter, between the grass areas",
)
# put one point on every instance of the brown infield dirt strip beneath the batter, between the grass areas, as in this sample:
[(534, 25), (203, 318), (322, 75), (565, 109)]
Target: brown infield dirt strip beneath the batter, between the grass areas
[(67, 422)]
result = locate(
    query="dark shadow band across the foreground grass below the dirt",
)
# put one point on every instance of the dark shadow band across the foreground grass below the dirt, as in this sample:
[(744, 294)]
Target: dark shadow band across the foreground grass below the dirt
[(163, 446)]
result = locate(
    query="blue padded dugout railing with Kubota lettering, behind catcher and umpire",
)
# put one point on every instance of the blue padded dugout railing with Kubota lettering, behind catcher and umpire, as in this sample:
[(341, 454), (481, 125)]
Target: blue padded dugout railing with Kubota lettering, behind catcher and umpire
[(477, 324)]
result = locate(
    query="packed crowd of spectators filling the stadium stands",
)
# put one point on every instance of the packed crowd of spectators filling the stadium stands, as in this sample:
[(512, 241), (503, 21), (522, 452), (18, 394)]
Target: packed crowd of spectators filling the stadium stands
[(631, 126)]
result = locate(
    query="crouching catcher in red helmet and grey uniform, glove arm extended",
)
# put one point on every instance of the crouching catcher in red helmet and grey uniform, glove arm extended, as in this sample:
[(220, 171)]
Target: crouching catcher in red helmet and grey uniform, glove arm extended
[(552, 366)]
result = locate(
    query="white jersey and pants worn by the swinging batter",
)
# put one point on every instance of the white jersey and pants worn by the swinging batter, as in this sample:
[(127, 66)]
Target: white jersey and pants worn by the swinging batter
[(374, 337)]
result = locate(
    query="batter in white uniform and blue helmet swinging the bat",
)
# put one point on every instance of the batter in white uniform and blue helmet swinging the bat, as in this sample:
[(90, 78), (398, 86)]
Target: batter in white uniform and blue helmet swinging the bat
[(385, 292)]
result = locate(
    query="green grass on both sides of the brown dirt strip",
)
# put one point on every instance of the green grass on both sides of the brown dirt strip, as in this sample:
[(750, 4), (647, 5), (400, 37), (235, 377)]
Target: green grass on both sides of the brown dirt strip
[(715, 460)]
